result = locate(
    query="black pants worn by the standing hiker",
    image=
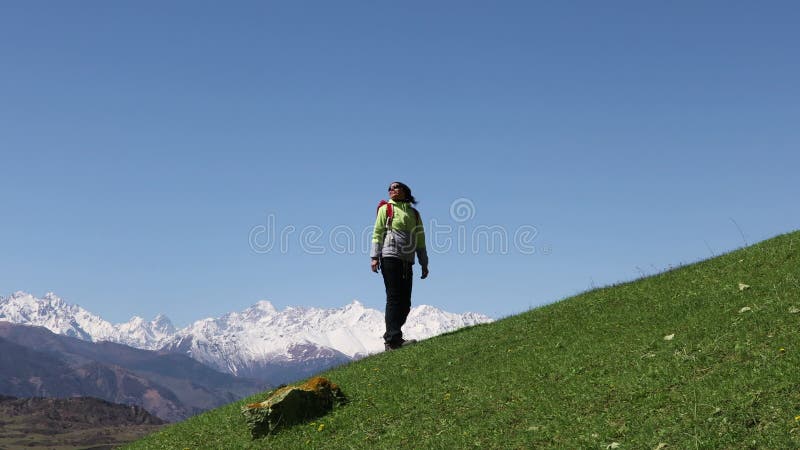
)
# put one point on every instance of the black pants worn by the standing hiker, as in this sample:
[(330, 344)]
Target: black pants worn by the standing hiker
[(397, 277)]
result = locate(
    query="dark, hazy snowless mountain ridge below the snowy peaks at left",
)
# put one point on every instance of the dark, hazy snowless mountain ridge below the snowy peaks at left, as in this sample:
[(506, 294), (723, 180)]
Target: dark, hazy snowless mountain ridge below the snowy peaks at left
[(35, 362)]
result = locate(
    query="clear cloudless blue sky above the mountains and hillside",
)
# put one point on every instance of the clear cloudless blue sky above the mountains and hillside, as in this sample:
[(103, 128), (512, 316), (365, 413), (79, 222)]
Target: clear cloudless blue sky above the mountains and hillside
[(145, 145)]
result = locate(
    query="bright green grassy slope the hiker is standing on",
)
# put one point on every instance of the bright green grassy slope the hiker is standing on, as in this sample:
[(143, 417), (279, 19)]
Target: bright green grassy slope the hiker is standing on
[(684, 359)]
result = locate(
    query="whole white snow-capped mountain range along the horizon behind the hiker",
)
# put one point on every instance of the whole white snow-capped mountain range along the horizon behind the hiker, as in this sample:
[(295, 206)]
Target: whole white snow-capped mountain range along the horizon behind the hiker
[(259, 342)]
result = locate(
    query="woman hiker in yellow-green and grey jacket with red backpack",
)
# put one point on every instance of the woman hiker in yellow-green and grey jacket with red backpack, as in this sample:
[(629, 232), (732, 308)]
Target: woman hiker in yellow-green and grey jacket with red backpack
[(397, 237)]
